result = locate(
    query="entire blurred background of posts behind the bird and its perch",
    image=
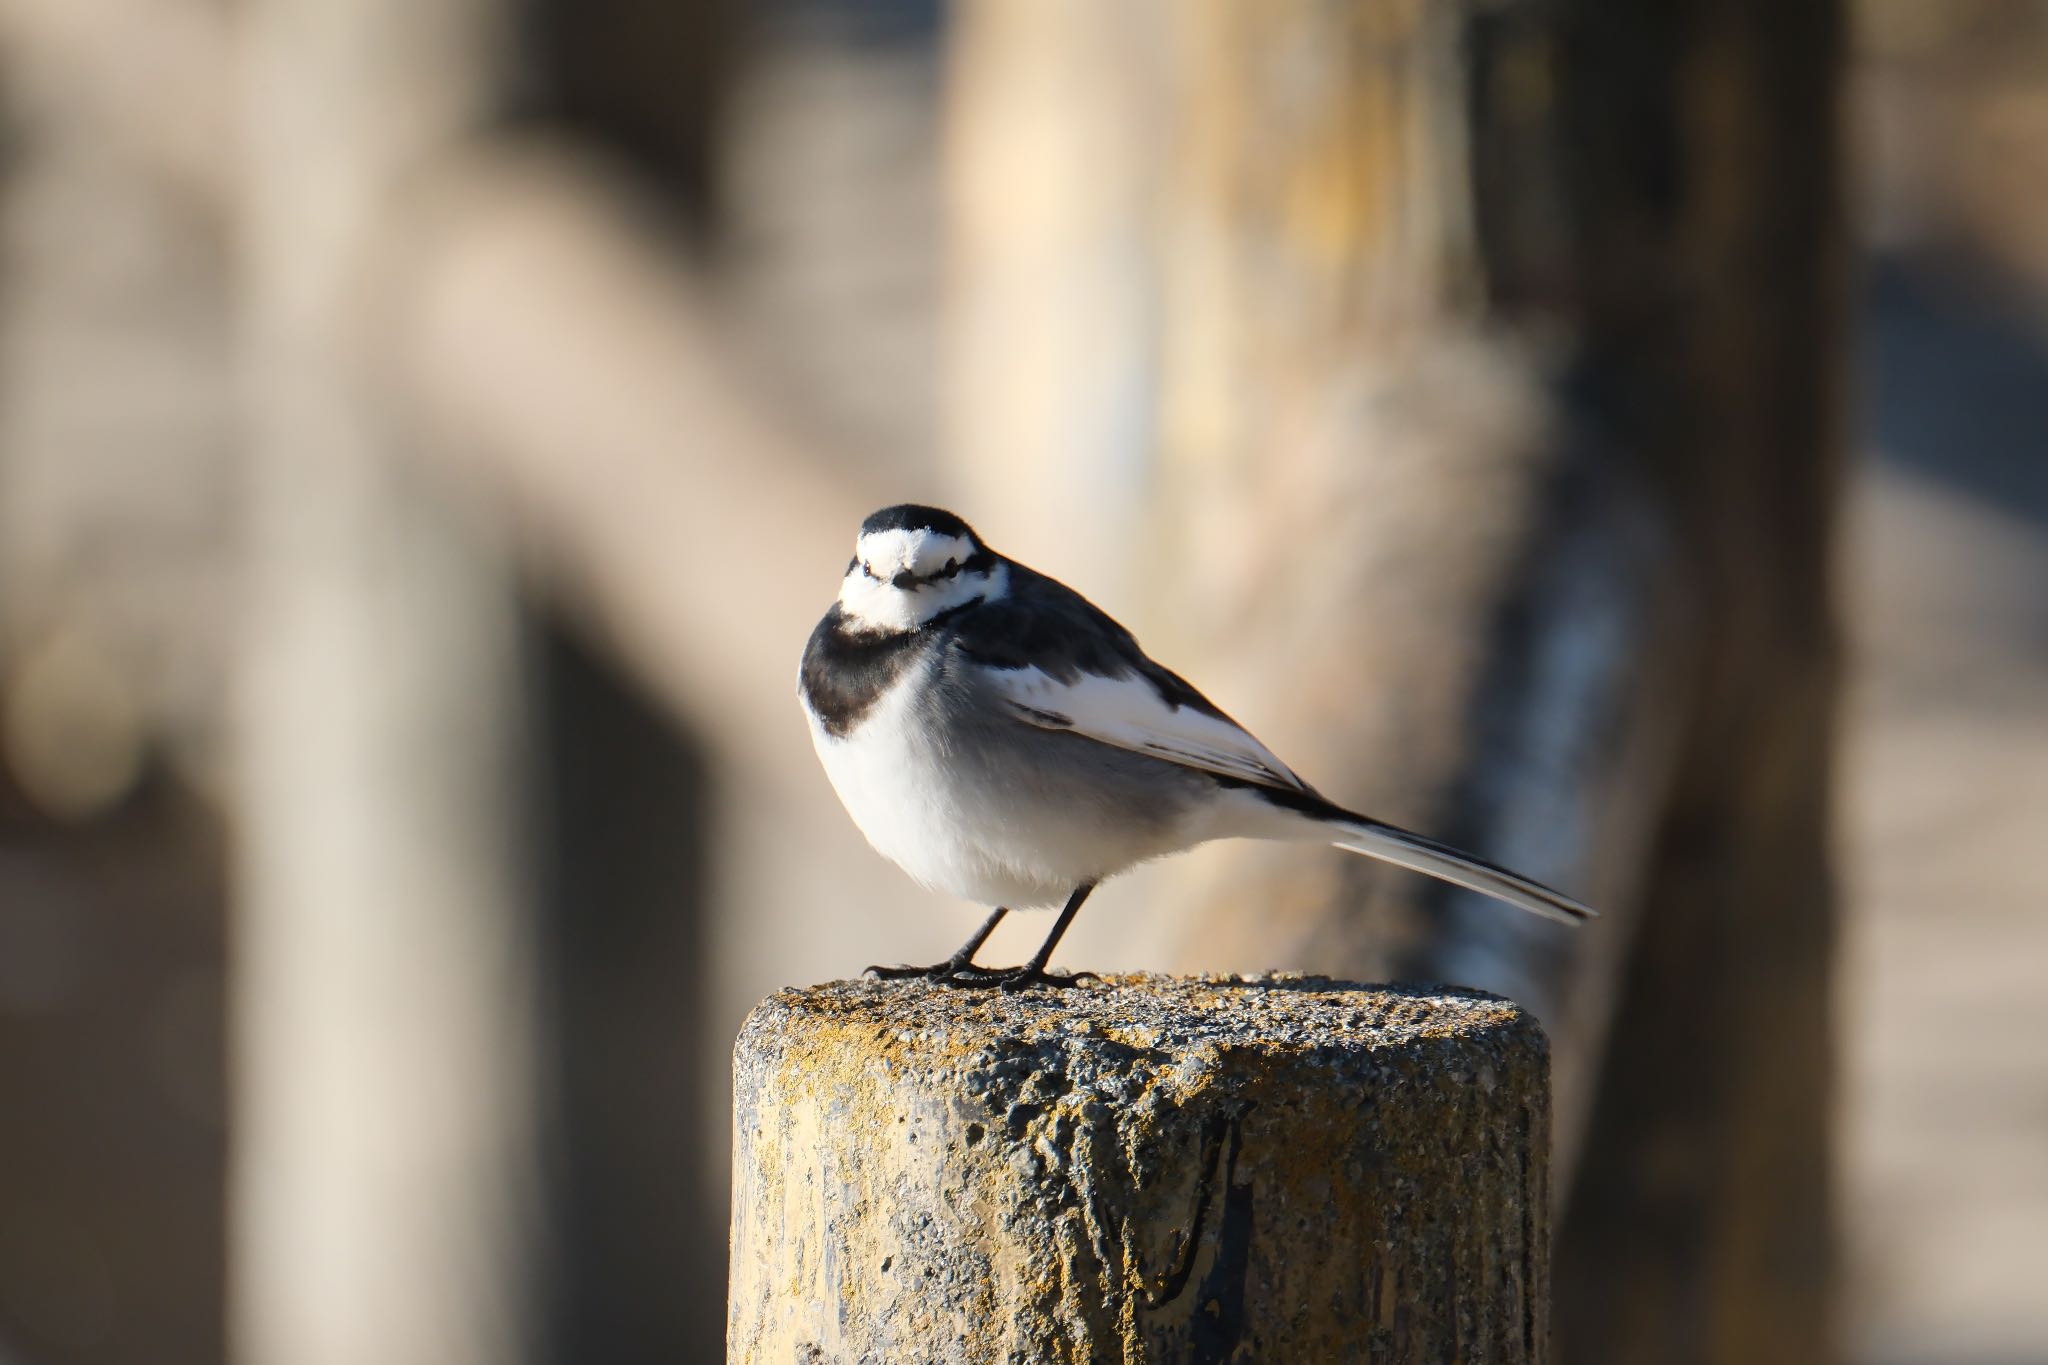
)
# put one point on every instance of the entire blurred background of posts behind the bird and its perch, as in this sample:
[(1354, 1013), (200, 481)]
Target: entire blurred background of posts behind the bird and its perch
[(1609, 437)]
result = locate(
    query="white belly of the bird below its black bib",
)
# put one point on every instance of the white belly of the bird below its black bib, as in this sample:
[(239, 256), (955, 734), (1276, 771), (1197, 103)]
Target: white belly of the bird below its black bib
[(962, 838)]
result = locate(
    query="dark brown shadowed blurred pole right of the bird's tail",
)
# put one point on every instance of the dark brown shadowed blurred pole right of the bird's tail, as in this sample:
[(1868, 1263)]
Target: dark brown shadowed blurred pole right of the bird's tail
[(1715, 259)]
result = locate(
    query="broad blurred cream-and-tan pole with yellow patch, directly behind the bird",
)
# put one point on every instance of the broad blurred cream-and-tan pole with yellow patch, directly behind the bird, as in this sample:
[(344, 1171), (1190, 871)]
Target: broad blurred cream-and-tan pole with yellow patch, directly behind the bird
[(1367, 511)]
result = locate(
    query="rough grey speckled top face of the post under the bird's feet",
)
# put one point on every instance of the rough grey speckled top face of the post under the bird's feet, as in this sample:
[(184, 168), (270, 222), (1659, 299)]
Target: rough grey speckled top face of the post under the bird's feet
[(1277, 1012)]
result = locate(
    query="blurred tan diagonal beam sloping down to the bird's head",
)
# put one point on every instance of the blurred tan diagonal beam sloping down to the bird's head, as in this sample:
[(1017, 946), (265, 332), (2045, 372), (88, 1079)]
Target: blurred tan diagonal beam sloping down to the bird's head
[(574, 371)]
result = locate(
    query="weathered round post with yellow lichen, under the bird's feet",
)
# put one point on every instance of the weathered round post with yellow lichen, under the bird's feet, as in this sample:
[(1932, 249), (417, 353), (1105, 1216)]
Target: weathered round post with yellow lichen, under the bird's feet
[(1156, 1170)]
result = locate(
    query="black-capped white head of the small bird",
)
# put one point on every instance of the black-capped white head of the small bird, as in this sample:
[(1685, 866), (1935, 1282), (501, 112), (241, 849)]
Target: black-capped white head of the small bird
[(912, 564)]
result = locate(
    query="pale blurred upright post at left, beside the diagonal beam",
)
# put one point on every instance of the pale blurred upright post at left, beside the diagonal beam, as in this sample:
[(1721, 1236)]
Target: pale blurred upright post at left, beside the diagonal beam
[(384, 1008)]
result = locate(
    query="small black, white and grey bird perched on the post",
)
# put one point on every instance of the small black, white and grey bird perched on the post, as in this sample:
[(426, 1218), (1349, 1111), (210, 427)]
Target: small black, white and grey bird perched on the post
[(1007, 742)]
